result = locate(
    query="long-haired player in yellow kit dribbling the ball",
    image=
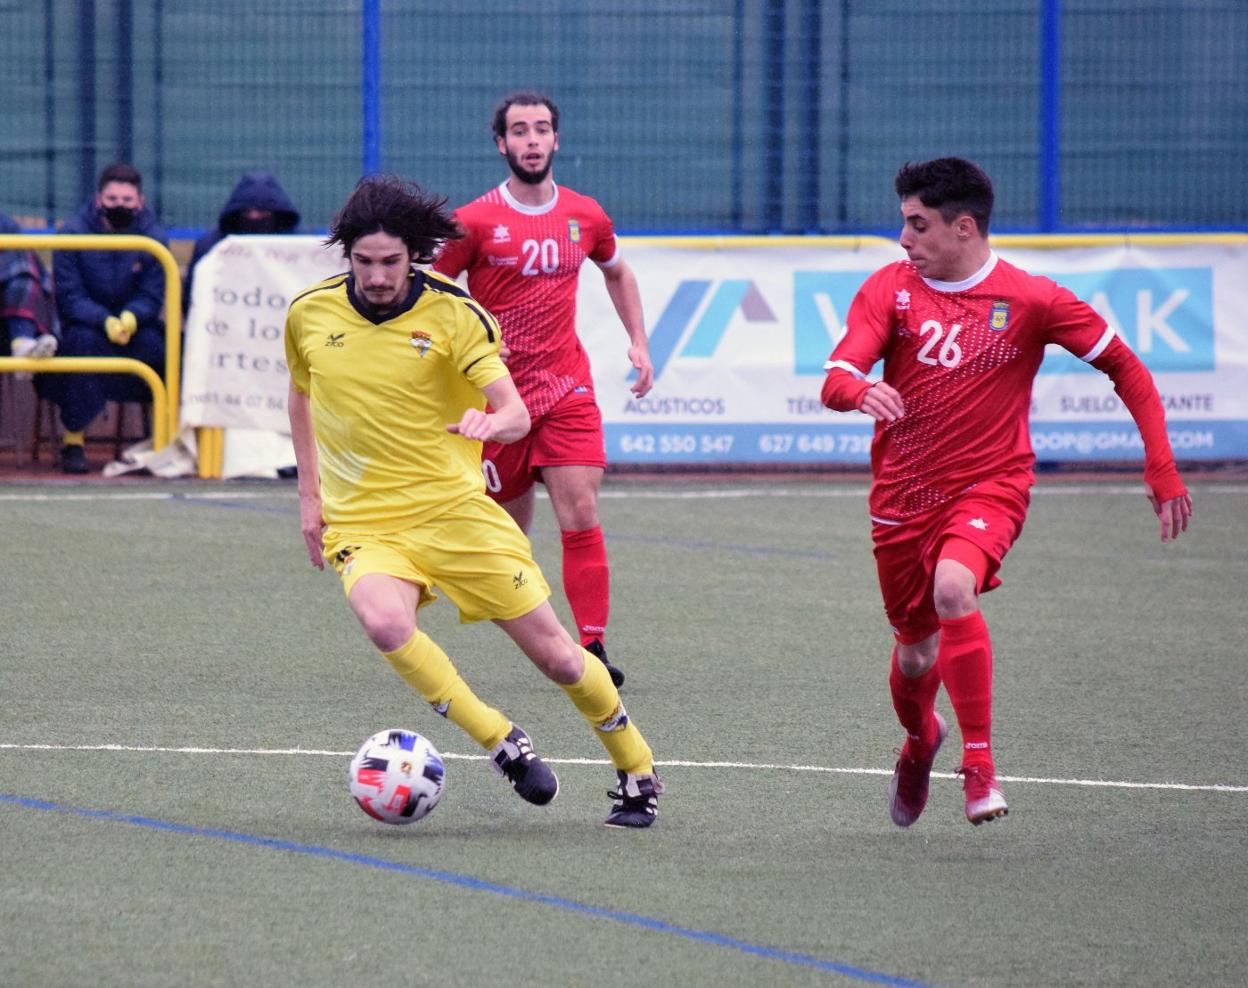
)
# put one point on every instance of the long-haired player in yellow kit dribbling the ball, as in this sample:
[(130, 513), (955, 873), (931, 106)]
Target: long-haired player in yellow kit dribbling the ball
[(391, 370)]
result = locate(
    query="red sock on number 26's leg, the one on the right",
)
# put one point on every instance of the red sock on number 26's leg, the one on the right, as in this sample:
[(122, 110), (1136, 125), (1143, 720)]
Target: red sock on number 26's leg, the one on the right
[(965, 663)]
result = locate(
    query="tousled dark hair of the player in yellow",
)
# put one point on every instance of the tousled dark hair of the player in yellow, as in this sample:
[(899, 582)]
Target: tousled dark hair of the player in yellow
[(391, 205)]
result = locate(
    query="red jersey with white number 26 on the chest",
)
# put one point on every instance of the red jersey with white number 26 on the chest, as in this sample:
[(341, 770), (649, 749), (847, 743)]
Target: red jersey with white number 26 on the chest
[(964, 359)]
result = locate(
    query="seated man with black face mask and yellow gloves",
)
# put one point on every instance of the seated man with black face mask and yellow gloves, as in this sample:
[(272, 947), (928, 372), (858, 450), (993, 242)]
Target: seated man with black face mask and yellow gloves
[(110, 304)]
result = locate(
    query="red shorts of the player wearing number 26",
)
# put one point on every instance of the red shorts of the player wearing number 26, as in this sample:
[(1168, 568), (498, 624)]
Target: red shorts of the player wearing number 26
[(990, 516)]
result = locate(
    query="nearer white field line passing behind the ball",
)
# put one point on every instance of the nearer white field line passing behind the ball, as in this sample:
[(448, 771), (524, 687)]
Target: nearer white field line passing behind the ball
[(771, 768)]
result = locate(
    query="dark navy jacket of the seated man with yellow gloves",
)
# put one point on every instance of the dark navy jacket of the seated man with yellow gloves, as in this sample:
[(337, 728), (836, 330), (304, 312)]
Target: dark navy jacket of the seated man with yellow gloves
[(94, 285)]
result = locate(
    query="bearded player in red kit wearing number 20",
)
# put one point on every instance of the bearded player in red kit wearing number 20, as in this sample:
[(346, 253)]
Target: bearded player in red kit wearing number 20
[(524, 248)]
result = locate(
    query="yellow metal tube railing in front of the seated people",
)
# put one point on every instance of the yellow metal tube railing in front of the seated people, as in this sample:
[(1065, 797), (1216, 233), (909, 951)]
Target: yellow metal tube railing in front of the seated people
[(165, 411)]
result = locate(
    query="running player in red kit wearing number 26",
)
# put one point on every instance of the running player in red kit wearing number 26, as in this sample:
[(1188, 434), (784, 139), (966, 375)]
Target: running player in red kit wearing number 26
[(963, 334)]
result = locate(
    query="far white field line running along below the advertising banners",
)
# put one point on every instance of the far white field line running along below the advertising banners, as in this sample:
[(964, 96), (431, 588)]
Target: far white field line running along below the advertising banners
[(833, 491)]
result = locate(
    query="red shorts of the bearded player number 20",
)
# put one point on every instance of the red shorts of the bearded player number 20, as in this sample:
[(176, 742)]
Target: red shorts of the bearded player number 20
[(571, 435)]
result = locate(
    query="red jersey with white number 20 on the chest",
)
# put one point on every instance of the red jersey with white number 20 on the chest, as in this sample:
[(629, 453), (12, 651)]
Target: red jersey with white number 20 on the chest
[(524, 264)]
